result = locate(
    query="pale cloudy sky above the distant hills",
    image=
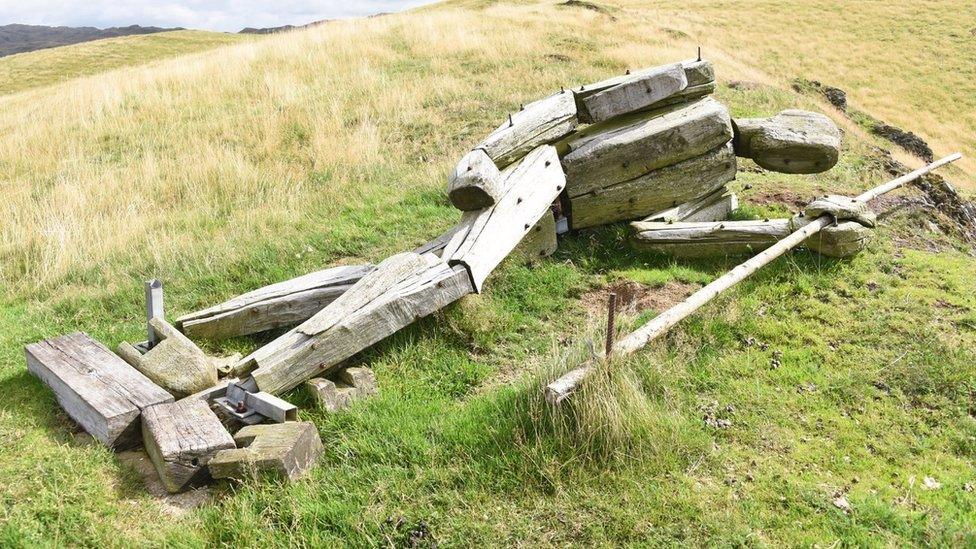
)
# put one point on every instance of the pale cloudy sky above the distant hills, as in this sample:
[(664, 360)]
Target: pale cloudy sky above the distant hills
[(219, 15)]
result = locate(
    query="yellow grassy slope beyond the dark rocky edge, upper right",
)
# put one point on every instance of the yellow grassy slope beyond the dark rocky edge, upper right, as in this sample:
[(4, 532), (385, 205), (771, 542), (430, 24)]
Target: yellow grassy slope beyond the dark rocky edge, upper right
[(912, 64)]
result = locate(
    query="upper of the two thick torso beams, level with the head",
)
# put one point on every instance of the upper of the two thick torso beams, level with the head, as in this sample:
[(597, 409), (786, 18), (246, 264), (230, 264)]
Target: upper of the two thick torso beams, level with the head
[(632, 146)]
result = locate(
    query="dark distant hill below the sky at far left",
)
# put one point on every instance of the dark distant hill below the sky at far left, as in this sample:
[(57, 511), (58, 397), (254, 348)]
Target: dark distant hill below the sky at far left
[(24, 38)]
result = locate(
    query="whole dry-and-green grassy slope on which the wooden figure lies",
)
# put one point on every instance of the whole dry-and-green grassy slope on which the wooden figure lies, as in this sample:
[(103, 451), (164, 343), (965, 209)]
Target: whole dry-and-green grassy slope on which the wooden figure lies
[(226, 171)]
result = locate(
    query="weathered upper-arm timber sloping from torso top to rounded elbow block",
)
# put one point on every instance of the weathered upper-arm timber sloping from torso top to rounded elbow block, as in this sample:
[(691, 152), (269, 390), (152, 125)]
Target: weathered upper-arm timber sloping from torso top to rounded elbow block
[(538, 123)]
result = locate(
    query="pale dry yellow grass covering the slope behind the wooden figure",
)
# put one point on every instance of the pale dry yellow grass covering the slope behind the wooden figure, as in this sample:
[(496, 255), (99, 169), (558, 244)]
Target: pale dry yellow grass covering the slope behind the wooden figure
[(210, 153)]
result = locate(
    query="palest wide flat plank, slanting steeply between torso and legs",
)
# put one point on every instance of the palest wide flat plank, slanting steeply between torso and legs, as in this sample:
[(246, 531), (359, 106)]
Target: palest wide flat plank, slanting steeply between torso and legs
[(533, 183)]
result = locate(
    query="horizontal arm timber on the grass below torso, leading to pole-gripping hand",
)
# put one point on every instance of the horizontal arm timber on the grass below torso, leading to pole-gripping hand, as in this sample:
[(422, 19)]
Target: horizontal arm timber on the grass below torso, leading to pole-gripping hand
[(699, 239)]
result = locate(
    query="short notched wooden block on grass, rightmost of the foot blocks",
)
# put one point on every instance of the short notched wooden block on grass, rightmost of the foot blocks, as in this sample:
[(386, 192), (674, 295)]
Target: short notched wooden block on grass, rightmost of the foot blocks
[(285, 450)]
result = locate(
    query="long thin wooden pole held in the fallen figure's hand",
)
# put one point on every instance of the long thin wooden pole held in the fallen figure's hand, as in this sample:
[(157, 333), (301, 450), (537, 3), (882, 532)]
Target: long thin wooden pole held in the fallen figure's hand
[(562, 388)]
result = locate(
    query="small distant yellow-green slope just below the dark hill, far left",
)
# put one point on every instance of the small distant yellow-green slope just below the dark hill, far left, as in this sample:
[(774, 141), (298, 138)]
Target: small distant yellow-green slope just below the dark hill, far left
[(51, 66)]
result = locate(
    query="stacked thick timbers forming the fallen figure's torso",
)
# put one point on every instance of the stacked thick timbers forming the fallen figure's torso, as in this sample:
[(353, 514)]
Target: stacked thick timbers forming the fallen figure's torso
[(638, 159)]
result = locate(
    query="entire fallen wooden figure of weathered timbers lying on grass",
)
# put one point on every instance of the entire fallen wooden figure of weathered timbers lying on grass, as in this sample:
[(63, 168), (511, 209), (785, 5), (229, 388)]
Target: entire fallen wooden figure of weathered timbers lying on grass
[(648, 145)]
